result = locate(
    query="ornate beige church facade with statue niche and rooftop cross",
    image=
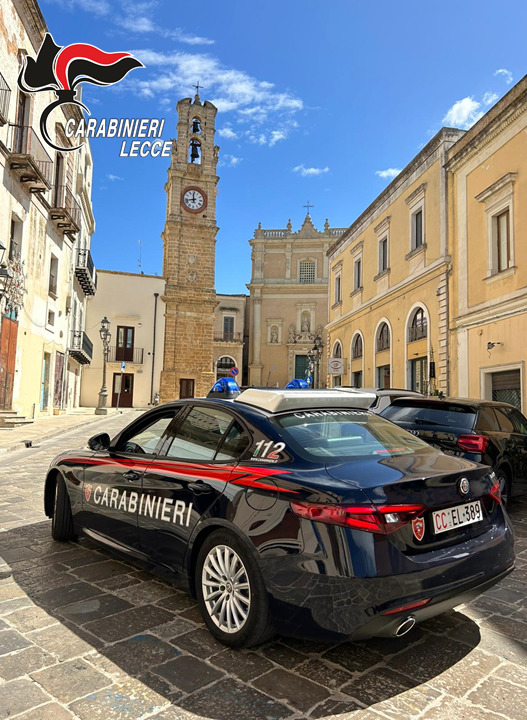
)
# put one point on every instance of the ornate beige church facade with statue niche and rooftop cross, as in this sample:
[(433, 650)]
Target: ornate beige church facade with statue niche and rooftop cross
[(289, 303)]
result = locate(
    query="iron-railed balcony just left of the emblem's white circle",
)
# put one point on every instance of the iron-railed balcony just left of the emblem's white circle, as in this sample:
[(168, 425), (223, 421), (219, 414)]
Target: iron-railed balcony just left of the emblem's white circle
[(28, 158)]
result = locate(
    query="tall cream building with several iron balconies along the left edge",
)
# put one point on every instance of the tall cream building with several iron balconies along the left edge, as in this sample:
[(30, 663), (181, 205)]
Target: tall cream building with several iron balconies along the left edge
[(46, 223)]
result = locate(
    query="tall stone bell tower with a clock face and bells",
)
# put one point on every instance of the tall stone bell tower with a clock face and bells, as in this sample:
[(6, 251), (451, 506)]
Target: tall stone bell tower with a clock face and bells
[(189, 241)]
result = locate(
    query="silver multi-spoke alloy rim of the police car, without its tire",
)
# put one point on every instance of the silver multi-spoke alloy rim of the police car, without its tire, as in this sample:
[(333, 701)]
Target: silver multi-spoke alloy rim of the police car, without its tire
[(226, 589)]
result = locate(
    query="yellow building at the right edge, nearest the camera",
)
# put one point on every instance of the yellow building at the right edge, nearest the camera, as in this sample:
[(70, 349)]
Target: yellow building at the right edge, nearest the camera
[(488, 172)]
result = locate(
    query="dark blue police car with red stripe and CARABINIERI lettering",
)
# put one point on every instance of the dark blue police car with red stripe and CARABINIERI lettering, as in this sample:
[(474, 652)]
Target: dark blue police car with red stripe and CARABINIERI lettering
[(289, 510)]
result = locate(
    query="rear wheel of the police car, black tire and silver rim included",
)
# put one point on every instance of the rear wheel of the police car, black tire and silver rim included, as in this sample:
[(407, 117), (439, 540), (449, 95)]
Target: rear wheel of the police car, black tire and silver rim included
[(231, 593)]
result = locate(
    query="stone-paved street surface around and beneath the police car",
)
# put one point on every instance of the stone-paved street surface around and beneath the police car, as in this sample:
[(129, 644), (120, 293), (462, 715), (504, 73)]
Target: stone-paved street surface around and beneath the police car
[(84, 635)]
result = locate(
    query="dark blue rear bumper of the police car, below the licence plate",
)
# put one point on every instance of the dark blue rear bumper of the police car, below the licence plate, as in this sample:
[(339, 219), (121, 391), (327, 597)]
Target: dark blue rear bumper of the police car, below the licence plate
[(309, 601)]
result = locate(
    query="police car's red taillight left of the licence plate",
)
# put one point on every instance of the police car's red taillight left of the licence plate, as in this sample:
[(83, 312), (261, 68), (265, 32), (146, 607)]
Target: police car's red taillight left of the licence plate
[(383, 519)]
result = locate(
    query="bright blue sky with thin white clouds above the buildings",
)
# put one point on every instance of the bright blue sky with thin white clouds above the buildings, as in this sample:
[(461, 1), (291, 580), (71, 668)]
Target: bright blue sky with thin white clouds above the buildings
[(317, 101)]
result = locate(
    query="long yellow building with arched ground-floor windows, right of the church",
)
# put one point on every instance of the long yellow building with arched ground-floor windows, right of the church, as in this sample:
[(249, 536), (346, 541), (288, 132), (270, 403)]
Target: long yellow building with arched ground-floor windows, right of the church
[(389, 281)]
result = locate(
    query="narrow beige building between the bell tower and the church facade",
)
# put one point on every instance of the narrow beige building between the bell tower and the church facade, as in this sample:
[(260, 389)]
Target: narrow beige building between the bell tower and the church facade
[(230, 341)]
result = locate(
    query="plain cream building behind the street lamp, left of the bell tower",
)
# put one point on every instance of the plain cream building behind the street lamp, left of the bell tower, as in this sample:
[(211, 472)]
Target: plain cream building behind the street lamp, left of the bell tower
[(133, 304)]
